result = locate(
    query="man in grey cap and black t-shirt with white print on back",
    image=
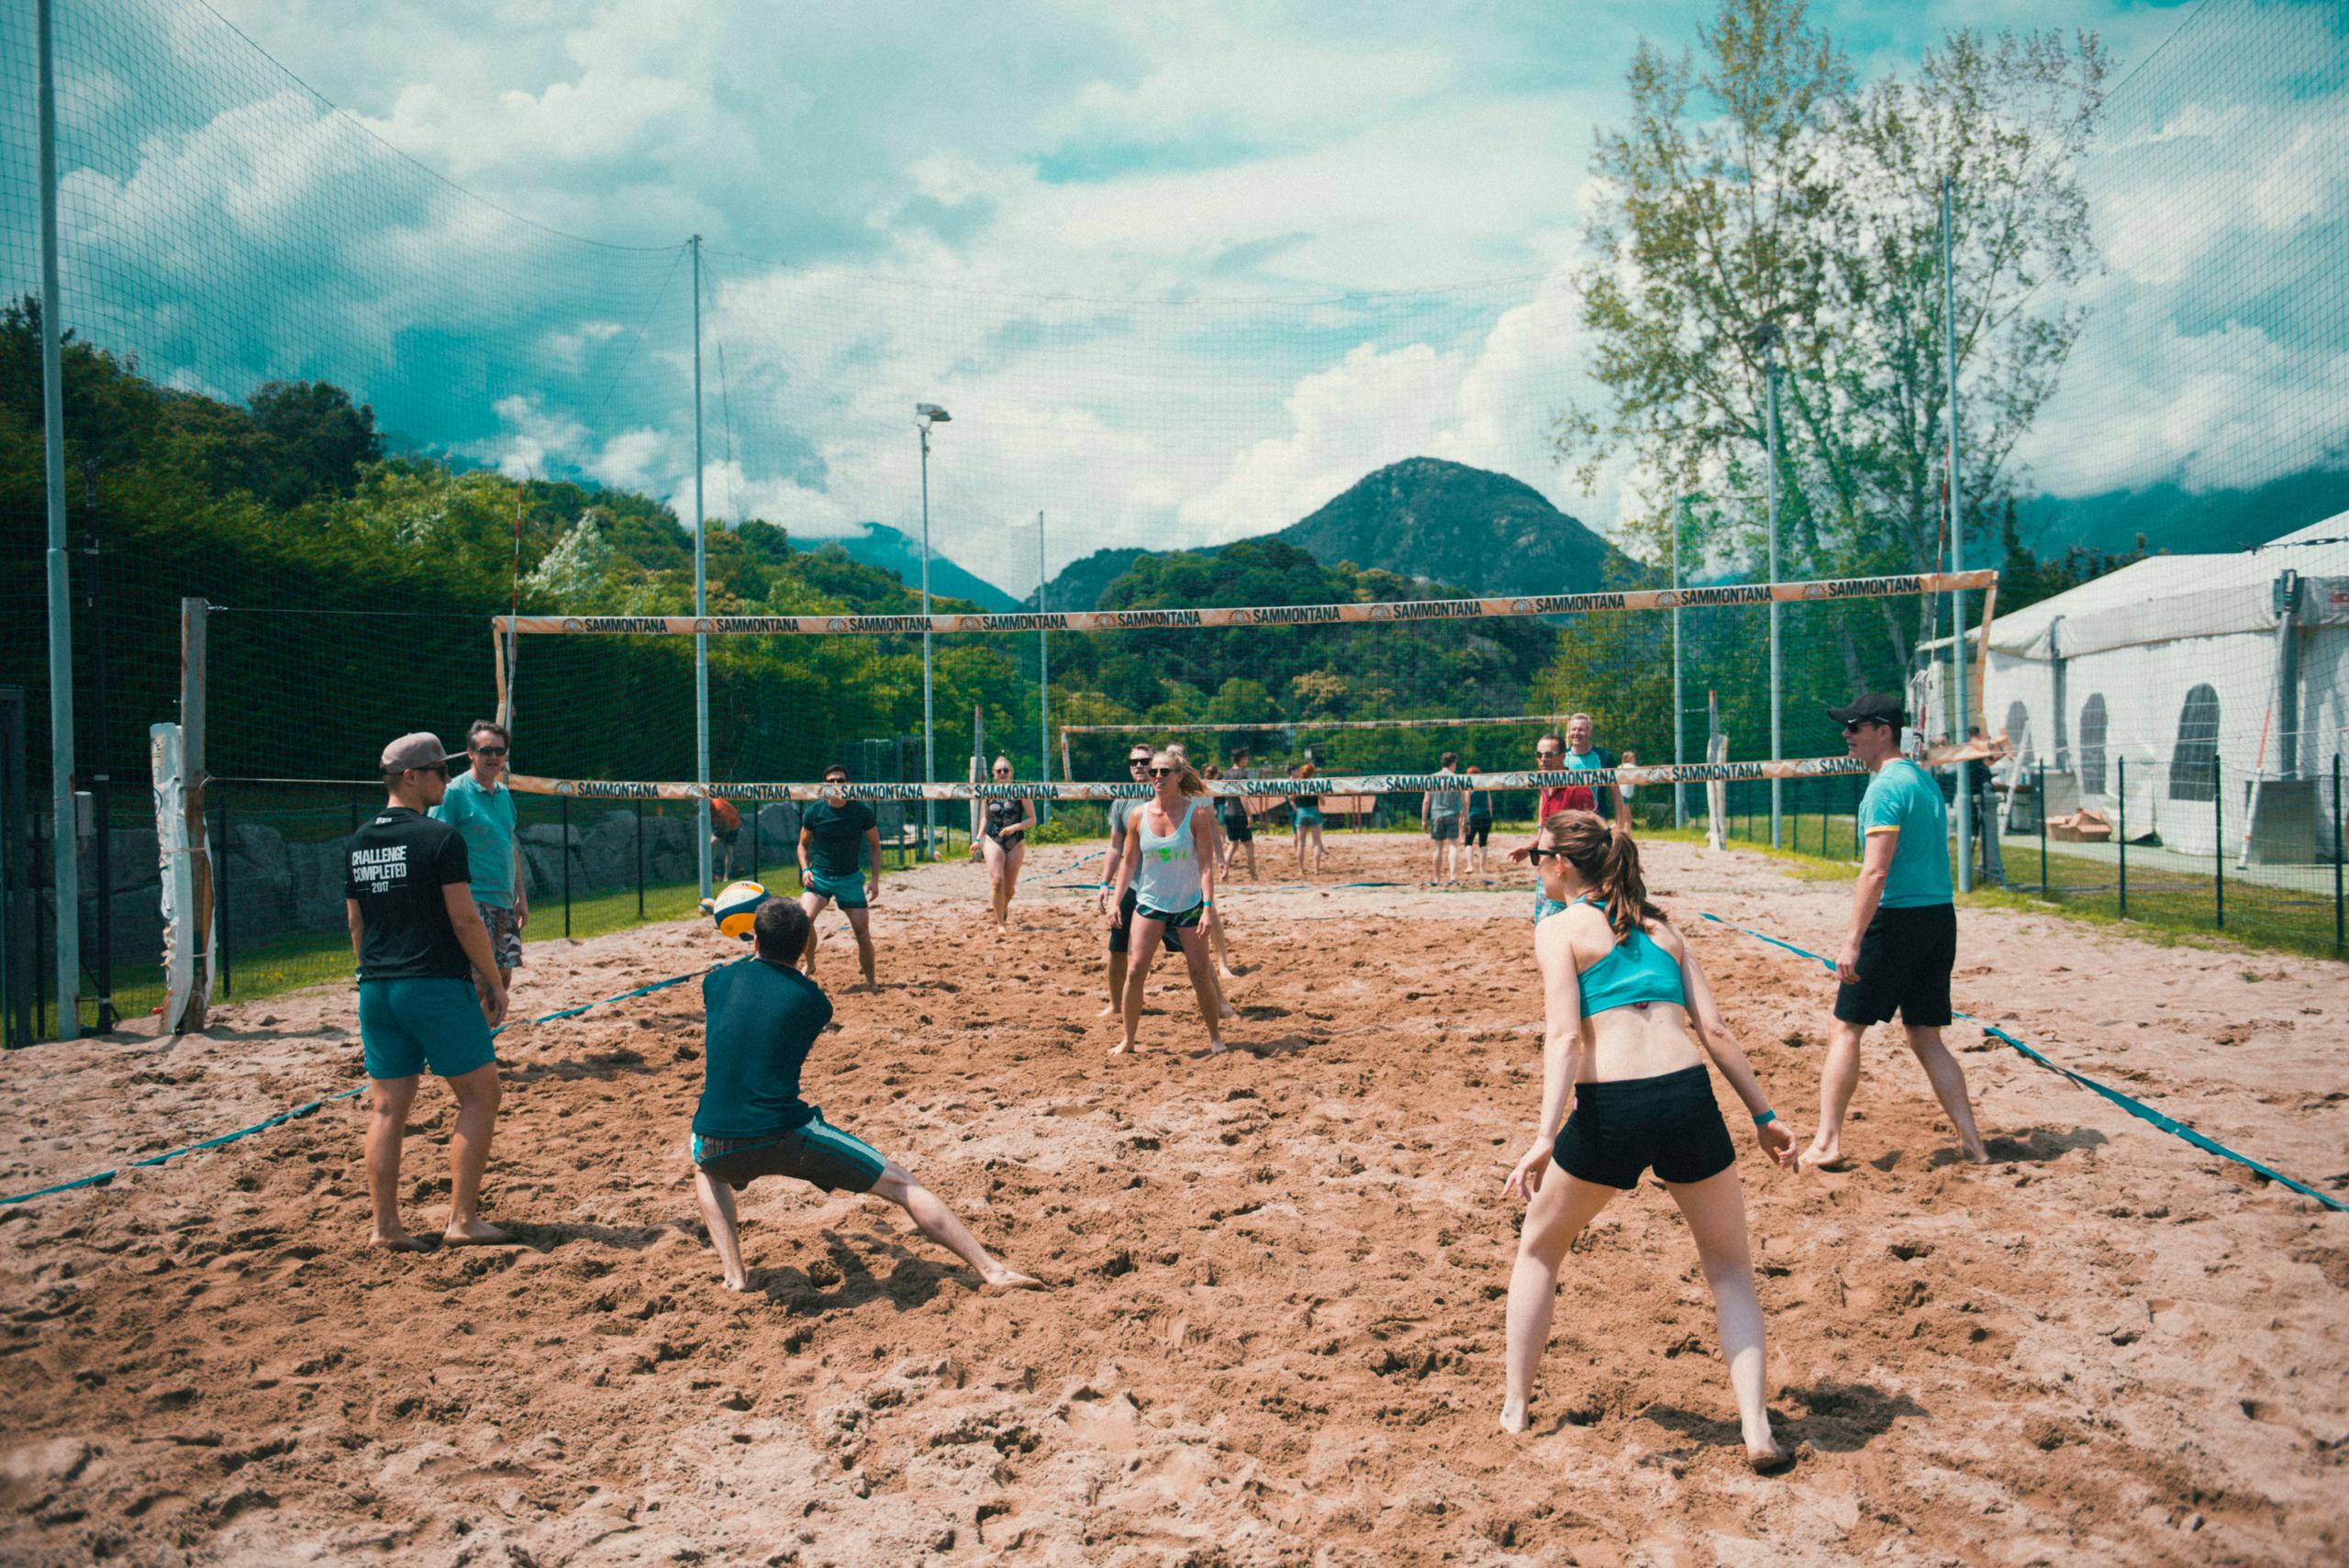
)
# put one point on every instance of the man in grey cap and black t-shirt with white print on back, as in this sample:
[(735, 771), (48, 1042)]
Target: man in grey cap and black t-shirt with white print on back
[(419, 942)]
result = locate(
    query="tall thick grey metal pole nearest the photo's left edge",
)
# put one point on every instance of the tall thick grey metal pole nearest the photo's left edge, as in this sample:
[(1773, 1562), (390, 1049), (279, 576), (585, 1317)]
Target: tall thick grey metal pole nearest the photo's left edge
[(67, 842)]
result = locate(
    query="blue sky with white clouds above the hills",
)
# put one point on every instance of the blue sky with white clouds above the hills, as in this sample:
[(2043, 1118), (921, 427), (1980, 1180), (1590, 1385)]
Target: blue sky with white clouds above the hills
[(1183, 271)]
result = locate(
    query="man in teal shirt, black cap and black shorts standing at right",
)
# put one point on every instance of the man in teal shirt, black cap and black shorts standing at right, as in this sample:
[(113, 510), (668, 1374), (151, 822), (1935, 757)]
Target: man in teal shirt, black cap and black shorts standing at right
[(1902, 942)]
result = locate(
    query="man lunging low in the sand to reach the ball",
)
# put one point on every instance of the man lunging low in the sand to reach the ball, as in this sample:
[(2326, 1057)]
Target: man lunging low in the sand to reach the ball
[(762, 1018)]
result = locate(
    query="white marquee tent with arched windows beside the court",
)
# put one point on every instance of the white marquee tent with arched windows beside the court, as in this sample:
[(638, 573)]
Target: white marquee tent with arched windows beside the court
[(2216, 687)]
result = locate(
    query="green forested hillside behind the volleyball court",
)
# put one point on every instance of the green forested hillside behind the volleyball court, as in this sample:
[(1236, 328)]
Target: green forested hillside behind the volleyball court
[(354, 600)]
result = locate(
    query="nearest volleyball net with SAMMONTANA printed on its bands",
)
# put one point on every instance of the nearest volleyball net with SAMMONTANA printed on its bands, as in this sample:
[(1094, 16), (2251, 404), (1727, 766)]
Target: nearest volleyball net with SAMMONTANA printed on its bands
[(1368, 691)]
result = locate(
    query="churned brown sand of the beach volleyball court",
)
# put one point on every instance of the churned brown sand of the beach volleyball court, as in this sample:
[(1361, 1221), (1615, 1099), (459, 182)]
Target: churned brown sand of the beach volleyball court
[(1277, 1334)]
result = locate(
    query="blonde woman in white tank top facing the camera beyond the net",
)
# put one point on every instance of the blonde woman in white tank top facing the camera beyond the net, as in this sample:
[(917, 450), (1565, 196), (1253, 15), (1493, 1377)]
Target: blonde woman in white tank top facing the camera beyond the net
[(1171, 867)]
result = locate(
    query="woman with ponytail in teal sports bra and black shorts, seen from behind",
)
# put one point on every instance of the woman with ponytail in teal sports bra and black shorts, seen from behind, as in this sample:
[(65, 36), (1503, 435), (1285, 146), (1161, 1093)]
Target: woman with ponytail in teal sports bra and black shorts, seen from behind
[(1631, 1025)]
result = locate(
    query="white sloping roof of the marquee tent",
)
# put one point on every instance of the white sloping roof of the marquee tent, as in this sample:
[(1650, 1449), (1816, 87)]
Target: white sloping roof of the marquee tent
[(2174, 597)]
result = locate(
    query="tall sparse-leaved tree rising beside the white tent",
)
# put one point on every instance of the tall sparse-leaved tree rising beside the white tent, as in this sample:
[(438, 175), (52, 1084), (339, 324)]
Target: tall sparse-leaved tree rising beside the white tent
[(1758, 194)]
